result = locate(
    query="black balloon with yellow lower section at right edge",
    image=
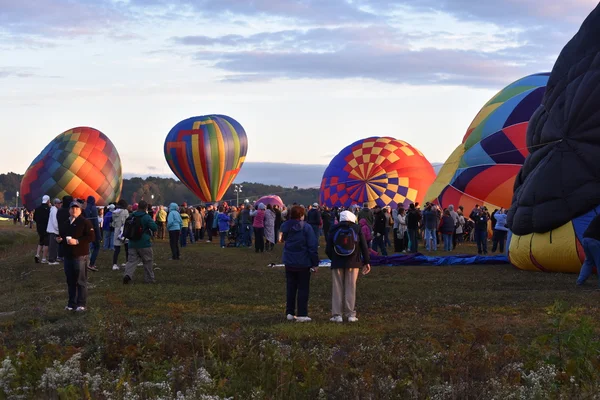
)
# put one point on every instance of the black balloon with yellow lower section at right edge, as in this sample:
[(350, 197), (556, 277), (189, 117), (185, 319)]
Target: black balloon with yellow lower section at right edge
[(557, 192)]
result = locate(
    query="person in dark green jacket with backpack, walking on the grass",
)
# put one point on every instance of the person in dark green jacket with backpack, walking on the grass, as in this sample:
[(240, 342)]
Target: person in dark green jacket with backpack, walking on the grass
[(138, 229)]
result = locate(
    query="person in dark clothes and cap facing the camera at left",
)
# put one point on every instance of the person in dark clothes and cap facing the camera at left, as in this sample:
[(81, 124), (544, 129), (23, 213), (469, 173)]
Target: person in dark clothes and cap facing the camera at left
[(76, 234)]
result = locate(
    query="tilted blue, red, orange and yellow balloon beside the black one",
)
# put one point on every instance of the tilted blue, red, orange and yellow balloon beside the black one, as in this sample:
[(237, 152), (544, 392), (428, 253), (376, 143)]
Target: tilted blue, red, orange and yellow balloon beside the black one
[(483, 167)]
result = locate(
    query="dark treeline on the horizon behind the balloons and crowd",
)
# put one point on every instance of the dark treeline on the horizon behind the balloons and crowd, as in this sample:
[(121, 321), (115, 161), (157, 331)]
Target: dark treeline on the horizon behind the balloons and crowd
[(167, 190)]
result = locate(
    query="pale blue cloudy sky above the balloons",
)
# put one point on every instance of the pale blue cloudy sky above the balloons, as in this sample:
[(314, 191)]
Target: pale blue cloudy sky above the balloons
[(304, 77)]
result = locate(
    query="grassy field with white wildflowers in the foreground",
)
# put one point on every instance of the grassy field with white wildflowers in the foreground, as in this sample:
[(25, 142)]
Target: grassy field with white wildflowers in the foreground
[(213, 327)]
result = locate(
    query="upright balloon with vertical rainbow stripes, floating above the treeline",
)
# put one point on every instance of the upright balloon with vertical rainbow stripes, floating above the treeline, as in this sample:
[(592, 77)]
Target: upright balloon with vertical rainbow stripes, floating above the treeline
[(206, 154)]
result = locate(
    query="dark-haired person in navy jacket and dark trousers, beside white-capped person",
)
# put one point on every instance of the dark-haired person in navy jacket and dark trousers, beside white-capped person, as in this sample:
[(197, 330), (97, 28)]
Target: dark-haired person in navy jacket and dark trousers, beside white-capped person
[(300, 257)]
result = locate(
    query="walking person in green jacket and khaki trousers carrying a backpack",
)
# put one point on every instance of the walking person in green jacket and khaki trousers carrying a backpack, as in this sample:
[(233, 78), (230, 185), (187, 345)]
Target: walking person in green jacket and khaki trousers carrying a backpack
[(140, 250)]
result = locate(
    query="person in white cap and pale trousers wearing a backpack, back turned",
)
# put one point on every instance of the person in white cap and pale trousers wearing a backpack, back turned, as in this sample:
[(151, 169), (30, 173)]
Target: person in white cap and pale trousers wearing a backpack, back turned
[(348, 250)]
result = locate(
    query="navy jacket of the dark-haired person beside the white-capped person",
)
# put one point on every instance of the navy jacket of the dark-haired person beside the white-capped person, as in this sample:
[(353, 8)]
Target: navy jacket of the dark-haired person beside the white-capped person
[(301, 246)]
